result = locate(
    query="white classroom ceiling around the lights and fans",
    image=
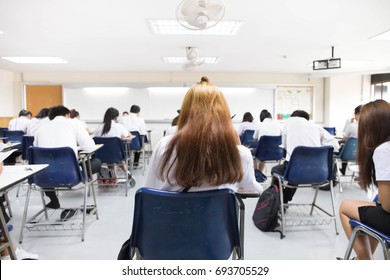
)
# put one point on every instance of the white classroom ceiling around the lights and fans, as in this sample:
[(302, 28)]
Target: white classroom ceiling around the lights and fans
[(277, 36)]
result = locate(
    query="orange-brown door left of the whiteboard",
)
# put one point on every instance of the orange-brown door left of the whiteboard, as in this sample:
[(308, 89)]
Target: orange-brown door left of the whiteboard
[(38, 97)]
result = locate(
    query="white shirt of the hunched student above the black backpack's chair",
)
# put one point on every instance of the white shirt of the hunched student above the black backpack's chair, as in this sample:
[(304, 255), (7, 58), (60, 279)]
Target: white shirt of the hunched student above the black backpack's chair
[(298, 131)]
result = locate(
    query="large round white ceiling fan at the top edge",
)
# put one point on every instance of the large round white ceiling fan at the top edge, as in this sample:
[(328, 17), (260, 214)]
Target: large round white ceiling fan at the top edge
[(200, 14)]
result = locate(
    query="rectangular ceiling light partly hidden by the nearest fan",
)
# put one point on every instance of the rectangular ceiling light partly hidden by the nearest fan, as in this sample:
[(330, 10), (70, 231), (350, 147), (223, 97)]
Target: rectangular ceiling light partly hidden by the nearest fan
[(171, 26)]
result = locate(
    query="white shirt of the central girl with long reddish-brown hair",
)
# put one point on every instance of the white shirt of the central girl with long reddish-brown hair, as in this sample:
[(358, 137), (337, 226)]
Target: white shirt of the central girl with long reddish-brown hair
[(248, 182)]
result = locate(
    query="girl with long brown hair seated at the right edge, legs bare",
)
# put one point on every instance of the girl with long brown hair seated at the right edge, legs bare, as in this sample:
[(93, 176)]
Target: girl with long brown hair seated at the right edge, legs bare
[(374, 170)]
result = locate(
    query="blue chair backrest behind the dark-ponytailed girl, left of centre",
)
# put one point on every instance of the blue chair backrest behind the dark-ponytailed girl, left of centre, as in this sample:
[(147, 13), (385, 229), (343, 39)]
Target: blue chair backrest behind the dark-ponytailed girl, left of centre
[(112, 151)]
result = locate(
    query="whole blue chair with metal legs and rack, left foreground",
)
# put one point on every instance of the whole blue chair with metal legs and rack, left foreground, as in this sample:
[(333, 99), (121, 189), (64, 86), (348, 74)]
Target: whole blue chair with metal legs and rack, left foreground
[(62, 174)]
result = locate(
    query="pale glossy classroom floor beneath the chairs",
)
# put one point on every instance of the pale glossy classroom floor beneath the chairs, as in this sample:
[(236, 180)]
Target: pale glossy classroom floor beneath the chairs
[(104, 237)]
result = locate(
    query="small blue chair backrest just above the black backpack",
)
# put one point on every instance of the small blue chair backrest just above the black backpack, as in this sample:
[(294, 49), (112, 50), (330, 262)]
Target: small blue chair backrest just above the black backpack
[(268, 148)]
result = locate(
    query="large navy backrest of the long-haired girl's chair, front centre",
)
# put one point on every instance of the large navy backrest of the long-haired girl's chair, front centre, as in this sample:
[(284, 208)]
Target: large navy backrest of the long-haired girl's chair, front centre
[(185, 225)]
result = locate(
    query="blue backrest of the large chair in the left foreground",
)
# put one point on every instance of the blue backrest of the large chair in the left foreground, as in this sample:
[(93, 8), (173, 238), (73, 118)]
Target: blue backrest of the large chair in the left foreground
[(63, 169)]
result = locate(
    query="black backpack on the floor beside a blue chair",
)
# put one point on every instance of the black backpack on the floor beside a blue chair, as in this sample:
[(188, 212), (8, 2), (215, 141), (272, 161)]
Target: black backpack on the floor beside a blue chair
[(265, 216)]
